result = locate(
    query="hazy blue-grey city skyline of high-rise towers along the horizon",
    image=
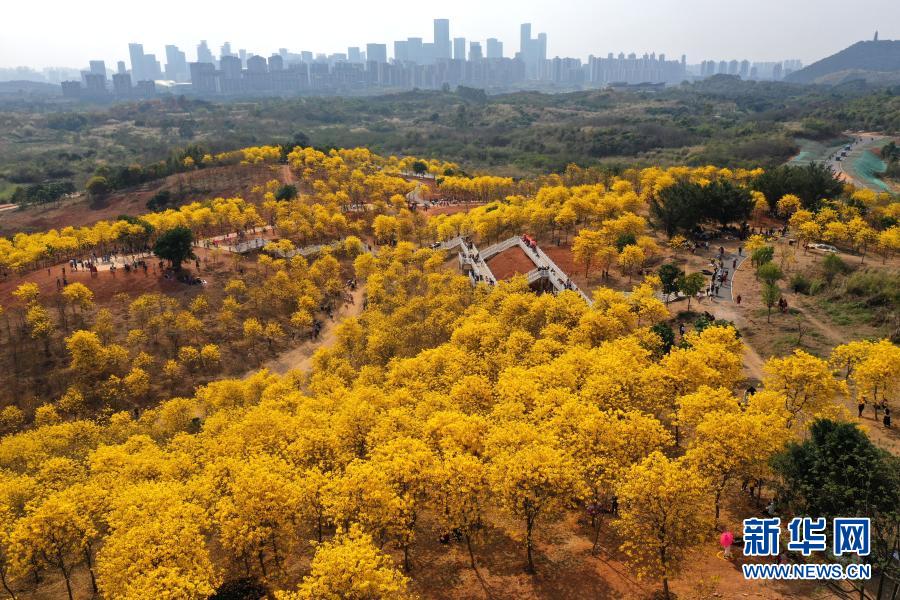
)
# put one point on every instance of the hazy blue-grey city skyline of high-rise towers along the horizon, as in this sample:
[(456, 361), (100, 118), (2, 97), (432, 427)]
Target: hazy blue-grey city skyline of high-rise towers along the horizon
[(415, 64)]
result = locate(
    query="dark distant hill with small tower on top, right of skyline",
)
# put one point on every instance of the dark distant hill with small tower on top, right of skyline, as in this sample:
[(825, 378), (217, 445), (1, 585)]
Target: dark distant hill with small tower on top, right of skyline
[(874, 61)]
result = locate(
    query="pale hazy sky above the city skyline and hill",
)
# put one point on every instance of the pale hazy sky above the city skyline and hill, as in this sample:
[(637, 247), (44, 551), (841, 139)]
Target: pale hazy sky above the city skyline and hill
[(69, 32)]
